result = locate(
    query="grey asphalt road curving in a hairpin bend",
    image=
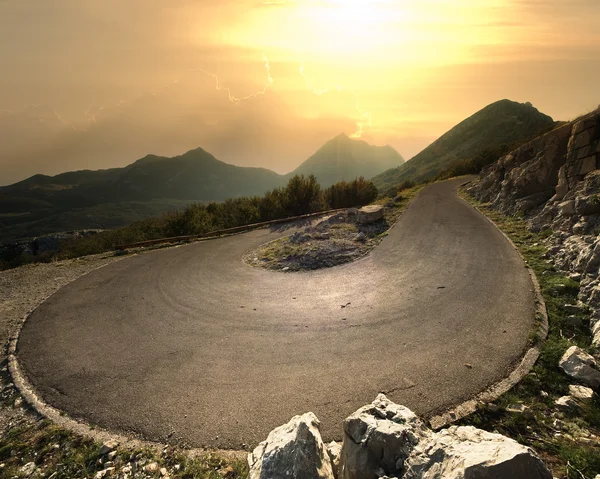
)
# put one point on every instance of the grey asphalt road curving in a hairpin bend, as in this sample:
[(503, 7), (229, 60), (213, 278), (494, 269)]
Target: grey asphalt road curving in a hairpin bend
[(192, 343)]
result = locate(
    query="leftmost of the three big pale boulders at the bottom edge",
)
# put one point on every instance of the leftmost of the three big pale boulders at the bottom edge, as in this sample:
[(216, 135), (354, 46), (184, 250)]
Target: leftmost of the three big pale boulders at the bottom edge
[(293, 451)]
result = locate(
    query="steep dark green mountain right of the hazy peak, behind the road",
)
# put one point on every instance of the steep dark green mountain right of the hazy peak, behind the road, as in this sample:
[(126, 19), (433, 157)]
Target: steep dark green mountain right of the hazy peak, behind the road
[(501, 124)]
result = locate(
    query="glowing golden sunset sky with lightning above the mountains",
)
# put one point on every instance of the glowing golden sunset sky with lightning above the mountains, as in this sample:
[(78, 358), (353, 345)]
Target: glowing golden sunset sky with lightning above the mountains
[(89, 84)]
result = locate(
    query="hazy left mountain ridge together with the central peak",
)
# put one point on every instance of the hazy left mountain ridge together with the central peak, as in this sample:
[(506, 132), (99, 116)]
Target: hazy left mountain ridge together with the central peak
[(152, 185)]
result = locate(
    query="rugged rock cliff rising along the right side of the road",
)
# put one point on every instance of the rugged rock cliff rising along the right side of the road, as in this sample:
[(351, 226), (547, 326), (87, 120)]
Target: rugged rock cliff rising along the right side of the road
[(554, 182)]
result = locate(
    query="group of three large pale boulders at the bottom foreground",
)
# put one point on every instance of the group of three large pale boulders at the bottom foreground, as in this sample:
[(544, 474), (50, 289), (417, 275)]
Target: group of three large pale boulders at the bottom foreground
[(386, 440)]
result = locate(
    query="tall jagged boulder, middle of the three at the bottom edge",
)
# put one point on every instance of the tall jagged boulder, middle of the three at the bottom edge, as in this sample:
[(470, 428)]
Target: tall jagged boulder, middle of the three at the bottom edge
[(378, 438)]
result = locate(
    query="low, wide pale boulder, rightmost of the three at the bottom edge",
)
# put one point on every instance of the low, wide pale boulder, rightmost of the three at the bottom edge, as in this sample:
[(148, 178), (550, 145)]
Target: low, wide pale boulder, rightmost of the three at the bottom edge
[(470, 453)]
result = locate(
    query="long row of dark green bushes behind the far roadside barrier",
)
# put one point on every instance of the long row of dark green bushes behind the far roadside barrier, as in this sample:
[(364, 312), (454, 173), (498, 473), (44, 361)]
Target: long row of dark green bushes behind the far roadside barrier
[(302, 195)]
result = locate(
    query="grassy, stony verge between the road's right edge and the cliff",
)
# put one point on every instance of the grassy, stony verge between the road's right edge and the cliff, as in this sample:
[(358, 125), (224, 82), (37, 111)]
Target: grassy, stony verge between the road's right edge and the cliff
[(567, 439)]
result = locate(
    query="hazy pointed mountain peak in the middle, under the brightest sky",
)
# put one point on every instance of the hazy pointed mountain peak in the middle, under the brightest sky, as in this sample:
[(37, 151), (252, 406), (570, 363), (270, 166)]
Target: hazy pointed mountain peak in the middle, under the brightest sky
[(343, 158)]
